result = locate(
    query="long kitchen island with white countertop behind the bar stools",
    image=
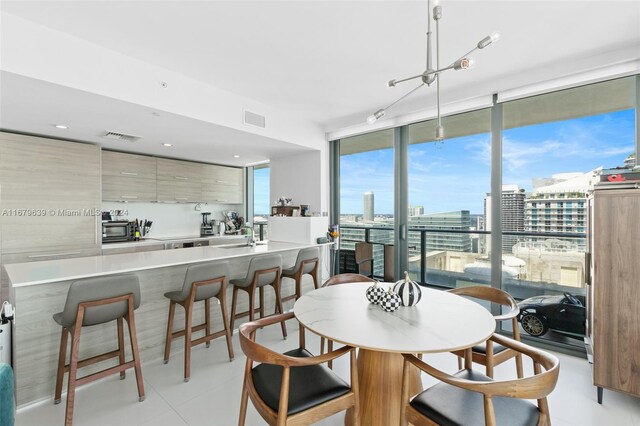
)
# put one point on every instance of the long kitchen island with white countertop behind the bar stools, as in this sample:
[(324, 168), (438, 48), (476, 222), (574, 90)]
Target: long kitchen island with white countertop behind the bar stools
[(39, 289)]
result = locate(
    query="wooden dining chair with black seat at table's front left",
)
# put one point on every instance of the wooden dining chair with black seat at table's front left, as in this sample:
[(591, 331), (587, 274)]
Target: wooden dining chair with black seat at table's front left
[(293, 388)]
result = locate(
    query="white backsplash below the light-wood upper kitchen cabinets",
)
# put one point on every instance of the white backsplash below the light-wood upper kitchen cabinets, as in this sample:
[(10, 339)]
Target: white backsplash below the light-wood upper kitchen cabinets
[(170, 220)]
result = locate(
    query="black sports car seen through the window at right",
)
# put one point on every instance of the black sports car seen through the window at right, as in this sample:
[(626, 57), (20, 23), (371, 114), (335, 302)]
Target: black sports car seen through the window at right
[(564, 314)]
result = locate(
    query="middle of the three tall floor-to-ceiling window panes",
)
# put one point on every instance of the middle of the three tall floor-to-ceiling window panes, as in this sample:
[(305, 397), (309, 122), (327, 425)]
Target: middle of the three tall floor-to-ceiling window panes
[(449, 182)]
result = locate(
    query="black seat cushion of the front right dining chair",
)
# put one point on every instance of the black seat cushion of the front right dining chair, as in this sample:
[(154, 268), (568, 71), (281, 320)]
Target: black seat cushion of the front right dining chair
[(450, 405)]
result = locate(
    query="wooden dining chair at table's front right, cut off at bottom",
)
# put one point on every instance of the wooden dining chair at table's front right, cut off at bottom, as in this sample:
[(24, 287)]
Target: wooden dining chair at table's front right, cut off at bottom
[(471, 398)]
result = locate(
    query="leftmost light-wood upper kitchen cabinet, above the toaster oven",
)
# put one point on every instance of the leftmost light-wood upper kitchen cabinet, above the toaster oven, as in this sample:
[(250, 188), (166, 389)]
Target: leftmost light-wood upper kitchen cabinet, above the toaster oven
[(128, 177)]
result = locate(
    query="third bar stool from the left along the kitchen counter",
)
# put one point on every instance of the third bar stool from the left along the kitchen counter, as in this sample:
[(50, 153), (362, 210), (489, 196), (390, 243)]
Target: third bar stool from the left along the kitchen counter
[(263, 271)]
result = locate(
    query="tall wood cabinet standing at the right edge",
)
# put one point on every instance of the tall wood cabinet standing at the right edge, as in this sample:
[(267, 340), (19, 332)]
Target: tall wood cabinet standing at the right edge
[(613, 297)]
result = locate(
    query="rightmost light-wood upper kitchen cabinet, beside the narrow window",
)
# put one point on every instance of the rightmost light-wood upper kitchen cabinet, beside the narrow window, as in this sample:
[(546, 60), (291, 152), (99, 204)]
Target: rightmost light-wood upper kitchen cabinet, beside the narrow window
[(224, 185)]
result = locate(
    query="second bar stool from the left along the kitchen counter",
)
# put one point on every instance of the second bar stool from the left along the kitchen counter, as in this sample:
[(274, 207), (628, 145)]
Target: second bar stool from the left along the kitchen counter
[(201, 283)]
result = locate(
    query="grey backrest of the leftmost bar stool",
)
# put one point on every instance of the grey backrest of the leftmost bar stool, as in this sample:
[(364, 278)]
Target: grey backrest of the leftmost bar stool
[(100, 288)]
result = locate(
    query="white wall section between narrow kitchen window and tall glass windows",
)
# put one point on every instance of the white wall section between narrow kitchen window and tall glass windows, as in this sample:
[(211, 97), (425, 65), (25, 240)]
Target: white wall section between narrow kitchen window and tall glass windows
[(301, 177)]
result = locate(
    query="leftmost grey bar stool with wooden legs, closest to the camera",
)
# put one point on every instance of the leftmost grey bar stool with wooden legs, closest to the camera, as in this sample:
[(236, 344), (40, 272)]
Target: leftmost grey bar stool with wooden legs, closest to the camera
[(95, 301)]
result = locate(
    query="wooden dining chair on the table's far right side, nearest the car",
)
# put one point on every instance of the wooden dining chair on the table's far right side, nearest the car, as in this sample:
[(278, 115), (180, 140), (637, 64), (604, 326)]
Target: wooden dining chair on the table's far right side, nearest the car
[(488, 353)]
